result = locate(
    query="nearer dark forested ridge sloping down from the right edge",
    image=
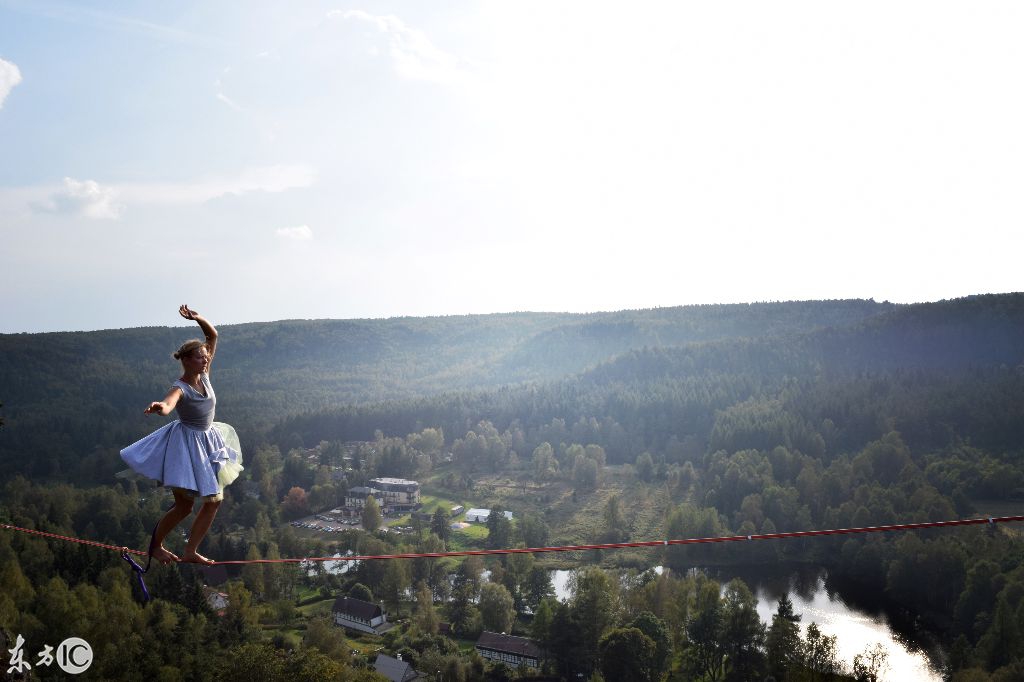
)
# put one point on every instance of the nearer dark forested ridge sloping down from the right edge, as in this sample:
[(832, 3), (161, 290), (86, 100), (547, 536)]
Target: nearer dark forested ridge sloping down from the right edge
[(940, 373)]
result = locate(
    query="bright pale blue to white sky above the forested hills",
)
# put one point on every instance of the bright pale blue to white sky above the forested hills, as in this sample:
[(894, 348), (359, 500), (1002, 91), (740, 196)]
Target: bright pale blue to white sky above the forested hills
[(266, 161)]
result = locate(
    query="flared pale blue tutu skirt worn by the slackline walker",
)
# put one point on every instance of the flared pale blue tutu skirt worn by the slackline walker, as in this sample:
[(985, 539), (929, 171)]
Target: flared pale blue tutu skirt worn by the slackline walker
[(196, 460)]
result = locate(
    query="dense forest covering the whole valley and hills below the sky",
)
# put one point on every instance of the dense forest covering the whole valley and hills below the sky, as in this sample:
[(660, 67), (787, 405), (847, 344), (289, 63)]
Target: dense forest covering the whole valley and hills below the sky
[(633, 425)]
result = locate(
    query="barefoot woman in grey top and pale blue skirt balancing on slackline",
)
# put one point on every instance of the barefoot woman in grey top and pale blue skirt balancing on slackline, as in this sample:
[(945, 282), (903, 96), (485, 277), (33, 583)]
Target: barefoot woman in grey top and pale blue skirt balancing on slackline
[(194, 456)]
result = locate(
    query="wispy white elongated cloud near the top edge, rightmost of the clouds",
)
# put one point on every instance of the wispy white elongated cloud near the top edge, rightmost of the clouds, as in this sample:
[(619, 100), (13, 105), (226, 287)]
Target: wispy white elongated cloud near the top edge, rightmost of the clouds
[(413, 55)]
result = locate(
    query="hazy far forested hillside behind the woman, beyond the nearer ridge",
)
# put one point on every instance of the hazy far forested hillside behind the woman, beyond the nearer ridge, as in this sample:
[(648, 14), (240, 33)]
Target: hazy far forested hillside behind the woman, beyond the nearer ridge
[(72, 400)]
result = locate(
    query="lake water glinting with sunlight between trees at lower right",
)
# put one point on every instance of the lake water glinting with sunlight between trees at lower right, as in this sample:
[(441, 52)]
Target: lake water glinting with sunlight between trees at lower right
[(857, 626)]
